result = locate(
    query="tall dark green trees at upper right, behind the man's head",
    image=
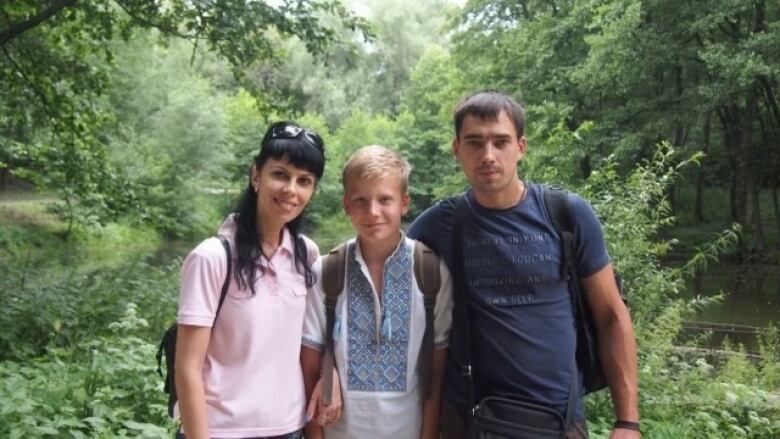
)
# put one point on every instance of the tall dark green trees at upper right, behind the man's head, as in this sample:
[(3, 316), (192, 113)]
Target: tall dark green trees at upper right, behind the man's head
[(643, 71)]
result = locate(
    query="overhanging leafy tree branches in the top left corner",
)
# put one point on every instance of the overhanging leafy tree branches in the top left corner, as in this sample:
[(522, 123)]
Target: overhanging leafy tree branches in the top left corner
[(56, 62)]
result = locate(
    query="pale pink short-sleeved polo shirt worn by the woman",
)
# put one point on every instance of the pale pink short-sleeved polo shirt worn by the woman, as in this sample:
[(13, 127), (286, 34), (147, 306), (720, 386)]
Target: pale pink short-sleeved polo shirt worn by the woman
[(252, 374)]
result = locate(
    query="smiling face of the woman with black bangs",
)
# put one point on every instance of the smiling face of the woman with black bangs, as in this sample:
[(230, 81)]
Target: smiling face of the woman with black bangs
[(283, 190)]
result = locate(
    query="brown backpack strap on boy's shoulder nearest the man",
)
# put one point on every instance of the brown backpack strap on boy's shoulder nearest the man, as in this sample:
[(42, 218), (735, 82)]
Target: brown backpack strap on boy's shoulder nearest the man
[(428, 276)]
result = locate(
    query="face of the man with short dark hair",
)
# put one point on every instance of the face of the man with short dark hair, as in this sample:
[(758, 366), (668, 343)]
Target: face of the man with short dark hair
[(488, 150)]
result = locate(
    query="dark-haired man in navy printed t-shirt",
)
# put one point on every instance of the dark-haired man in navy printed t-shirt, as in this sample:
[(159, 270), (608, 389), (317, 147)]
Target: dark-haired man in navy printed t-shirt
[(522, 324)]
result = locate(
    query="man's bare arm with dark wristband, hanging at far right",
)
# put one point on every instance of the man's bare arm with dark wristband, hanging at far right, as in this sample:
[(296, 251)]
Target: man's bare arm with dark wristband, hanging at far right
[(617, 347)]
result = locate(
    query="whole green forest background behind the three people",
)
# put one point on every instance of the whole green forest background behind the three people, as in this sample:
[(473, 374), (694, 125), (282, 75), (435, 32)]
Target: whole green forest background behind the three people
[(126, 129)]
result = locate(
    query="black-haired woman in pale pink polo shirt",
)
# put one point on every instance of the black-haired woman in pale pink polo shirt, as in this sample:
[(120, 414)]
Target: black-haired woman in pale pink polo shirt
[(242, 378)]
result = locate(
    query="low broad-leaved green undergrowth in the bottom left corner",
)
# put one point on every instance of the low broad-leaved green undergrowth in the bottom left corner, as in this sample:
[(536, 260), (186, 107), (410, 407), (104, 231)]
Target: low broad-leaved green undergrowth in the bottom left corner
[(102, 388)]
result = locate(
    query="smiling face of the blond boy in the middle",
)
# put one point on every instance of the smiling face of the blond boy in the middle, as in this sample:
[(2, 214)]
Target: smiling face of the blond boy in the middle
[(375, 207)]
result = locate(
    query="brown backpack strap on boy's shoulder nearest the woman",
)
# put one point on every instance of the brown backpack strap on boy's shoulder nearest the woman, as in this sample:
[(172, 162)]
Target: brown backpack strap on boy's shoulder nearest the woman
[(333, 270)]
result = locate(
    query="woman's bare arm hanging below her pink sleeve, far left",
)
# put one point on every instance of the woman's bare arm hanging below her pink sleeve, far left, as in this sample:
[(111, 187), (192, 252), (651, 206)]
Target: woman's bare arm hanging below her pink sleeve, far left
[(191, 345)]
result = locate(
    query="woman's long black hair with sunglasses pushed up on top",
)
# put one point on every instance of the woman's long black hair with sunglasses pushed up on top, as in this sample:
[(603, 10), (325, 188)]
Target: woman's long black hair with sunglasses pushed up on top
[(303, 149)]
